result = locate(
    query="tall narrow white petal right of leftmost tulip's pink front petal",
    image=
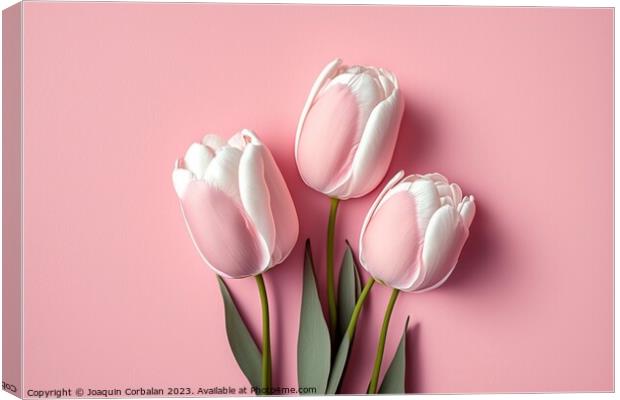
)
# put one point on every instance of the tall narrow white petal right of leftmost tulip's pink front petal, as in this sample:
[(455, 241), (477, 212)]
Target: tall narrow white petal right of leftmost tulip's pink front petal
[(255, 195)]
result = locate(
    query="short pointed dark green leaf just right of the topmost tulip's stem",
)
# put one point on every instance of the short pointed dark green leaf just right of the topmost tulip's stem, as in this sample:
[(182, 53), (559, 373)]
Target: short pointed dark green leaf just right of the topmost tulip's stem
[(349, 287)]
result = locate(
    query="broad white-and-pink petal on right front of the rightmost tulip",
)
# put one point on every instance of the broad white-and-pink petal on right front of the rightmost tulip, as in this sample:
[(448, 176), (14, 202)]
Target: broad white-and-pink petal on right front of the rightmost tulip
[(443, 241)]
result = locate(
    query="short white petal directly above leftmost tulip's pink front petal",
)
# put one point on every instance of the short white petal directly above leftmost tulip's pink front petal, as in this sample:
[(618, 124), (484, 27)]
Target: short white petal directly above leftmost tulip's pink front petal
[(223, 172)]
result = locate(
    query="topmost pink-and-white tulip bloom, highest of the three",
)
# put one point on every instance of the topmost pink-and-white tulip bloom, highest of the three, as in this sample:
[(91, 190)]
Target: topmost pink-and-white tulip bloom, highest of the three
[(348, 129)]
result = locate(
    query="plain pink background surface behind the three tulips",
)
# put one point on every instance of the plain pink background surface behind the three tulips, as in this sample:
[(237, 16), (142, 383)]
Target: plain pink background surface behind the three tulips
[(513, 104)]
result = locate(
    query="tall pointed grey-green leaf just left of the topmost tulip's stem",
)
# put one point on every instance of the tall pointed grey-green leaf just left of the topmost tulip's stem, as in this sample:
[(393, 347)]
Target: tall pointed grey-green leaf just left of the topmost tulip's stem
[(313, 345)]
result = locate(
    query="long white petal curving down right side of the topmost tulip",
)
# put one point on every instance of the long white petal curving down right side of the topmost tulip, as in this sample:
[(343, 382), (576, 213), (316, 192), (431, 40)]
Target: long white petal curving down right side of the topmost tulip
[(376, 147)]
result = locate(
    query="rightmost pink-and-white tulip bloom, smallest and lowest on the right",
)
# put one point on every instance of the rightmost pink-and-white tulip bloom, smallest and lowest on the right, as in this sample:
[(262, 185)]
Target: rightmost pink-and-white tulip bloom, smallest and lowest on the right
[(413, 234)]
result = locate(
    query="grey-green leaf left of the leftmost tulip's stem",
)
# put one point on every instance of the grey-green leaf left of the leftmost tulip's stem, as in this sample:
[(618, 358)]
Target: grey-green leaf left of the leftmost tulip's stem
[(241, 343)]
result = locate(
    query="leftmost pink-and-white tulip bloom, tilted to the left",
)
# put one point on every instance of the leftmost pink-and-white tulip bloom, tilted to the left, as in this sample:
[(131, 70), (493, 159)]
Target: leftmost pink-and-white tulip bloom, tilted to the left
[(236, 205)]
